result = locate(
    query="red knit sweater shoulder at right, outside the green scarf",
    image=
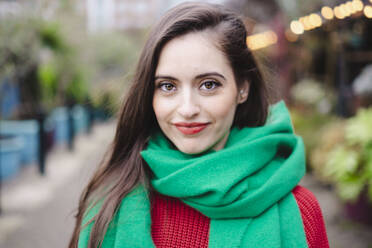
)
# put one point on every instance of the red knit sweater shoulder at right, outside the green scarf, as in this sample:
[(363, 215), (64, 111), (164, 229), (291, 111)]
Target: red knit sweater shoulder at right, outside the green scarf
[(312, 217)]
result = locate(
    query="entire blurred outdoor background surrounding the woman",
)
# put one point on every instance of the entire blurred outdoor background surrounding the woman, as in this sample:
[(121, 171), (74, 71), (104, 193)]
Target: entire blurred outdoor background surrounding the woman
[(65, 66)]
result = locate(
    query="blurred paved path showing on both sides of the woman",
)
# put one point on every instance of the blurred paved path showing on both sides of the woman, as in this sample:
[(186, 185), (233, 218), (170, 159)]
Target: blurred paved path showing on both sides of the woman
[(38, 211)]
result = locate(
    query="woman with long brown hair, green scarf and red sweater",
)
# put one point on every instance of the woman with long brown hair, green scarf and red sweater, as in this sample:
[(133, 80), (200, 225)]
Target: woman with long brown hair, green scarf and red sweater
[(199, 158)]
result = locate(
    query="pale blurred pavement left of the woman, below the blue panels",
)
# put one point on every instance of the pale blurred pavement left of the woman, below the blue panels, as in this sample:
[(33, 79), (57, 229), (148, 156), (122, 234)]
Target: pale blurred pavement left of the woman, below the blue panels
[(38, 210)]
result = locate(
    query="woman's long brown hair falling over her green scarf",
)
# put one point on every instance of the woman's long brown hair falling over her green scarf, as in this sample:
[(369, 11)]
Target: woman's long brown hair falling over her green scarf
[(123, 169)]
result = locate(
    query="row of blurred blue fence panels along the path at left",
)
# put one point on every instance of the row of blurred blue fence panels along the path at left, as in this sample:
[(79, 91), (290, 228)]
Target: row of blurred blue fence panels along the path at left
[(20, 140)]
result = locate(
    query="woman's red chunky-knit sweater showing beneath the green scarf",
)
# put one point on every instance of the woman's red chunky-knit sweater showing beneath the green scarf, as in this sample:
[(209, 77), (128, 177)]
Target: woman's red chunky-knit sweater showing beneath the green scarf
[(174, 224)]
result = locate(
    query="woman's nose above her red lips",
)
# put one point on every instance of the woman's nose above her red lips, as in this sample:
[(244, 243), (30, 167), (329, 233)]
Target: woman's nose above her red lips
[(188, 106)]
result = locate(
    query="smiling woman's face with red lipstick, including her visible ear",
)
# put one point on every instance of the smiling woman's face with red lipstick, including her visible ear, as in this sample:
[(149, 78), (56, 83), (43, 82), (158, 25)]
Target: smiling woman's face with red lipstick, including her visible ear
[(195, 94)]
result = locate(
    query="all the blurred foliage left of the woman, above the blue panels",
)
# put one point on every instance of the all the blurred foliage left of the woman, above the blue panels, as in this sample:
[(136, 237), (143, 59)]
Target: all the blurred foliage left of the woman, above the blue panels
[(55, 59)]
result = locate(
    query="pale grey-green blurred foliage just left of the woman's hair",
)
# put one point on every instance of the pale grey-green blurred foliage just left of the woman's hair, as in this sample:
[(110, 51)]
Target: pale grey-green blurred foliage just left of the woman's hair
[(112, 56)]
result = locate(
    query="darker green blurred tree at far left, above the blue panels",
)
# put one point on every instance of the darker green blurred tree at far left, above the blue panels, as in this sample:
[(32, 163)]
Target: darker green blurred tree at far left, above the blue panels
[(35, 54)]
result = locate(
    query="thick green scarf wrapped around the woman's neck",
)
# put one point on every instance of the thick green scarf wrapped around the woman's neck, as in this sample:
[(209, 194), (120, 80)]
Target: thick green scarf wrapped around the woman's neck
[(245, 189)]
